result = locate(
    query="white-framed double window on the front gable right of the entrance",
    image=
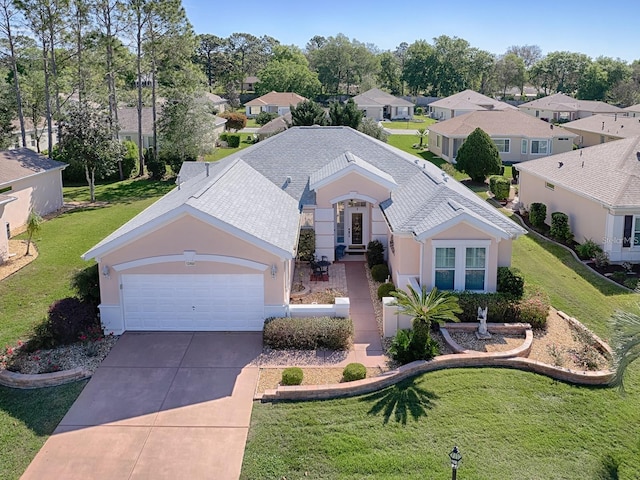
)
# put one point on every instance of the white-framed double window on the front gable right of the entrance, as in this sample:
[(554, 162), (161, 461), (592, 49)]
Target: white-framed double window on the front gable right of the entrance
[(461, 264)]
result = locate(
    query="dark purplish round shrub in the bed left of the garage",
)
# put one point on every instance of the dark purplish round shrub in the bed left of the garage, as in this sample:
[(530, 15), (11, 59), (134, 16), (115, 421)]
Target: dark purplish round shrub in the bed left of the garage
[(70, 318)]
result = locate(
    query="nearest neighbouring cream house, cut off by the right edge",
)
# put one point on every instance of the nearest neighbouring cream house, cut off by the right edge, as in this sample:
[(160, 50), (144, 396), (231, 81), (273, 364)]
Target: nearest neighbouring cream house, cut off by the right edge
[(598, 188)]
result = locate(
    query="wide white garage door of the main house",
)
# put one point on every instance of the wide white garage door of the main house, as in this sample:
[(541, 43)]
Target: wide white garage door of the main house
[(193, 302)]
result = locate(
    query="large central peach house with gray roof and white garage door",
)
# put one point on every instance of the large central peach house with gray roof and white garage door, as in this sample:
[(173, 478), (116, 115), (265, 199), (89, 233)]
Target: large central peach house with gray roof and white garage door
[(218, 252)]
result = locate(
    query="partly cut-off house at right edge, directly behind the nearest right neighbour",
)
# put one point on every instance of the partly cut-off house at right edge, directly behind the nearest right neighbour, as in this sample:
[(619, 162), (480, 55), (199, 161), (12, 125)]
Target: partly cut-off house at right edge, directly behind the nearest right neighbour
[(598, 129)]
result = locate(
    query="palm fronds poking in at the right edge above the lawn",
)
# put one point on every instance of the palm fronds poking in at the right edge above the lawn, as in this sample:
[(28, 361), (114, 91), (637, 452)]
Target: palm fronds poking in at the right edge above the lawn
[(626, 344)]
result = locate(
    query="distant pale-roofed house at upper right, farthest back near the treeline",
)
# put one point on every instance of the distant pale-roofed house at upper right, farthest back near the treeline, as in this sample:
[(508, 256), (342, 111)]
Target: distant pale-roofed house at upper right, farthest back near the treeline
[(562, 108)]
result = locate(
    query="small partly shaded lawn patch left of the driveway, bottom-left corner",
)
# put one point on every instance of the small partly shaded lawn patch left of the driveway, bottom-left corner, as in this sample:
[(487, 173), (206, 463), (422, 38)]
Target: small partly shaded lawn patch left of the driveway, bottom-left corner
[(27, 418)]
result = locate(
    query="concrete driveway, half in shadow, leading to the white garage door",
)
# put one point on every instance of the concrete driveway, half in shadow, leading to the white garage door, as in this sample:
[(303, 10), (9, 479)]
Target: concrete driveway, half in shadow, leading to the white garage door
[(161, 405)]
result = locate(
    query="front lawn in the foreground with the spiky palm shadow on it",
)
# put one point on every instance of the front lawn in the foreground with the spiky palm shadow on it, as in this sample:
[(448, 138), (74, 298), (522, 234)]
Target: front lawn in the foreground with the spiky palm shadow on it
[(507, 423)]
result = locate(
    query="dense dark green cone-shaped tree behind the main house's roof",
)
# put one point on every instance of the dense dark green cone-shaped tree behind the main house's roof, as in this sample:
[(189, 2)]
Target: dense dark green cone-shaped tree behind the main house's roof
[(478, 156)]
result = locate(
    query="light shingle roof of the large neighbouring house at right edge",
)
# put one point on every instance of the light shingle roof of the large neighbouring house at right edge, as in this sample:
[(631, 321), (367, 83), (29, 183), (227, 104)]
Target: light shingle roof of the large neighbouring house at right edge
[(608, 173)]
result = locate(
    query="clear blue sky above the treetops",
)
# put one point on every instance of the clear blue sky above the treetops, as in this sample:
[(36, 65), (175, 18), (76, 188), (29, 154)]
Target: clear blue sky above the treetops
[(493, 25)]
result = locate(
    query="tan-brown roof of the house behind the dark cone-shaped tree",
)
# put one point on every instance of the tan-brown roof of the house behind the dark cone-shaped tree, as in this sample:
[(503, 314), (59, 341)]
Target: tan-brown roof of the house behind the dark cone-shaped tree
[(499, 122)]
